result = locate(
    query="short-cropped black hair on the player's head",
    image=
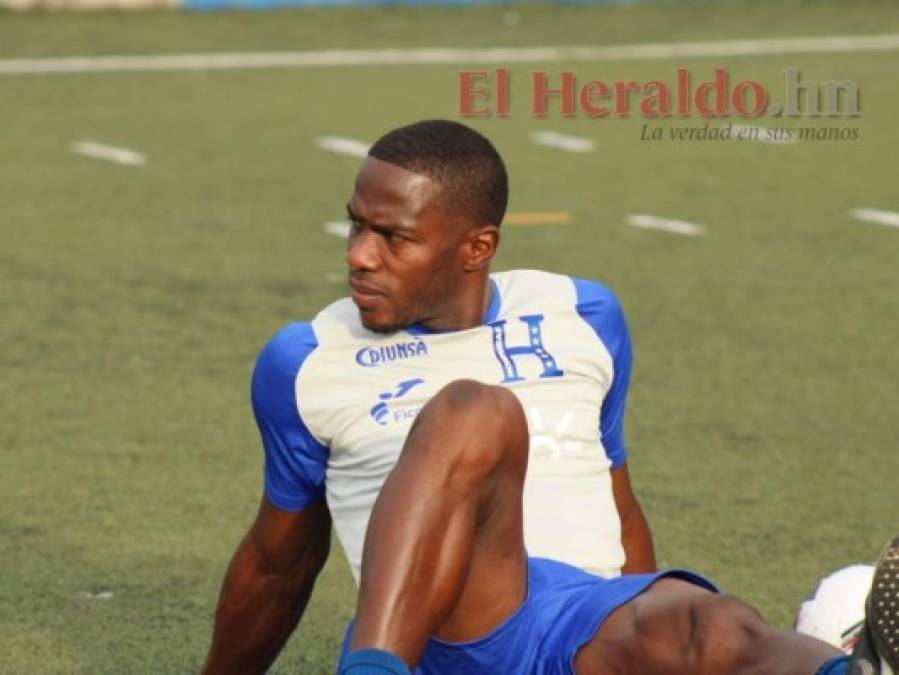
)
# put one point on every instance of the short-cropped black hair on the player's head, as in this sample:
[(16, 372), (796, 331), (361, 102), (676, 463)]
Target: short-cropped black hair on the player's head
[(463, 163)]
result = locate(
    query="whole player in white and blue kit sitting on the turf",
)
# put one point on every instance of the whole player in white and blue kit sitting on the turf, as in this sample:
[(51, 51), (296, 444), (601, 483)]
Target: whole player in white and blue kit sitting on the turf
[(463, 430)]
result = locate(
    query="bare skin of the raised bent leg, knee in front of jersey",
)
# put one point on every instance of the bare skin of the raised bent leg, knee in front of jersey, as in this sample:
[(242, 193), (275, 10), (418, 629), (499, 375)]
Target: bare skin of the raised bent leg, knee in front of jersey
[(444, 552)]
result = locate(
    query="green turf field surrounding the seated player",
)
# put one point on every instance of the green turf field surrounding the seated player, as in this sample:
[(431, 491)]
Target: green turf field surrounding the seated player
[(762, 423)]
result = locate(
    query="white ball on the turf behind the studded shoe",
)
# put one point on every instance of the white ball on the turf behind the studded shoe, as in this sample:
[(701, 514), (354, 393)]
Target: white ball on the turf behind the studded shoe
[(835, 610)]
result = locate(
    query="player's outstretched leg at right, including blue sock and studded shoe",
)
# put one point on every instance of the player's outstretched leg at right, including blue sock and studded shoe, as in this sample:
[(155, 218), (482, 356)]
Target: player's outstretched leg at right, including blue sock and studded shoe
[(676, 628)]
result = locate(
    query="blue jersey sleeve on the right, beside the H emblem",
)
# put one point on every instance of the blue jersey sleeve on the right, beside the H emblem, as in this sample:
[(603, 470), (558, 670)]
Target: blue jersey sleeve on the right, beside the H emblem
[(599, 307)]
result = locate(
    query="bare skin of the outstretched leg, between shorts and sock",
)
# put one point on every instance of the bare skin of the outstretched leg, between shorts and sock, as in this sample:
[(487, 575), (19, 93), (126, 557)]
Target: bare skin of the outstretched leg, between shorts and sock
[(676, 628)]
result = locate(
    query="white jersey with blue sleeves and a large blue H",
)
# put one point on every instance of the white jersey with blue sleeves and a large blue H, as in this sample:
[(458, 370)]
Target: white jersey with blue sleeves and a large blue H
[(334, 402)]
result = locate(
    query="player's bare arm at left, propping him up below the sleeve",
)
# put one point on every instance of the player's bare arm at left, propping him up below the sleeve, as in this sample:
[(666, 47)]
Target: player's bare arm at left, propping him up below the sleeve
[(267, 587)]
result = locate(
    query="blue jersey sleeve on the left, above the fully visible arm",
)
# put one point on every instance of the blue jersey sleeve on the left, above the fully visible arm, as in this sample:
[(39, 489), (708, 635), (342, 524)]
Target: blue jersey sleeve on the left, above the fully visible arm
[(295, 461)]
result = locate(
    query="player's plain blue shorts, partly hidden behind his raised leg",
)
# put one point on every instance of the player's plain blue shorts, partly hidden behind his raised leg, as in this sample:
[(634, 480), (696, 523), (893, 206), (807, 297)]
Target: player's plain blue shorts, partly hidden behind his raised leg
[(563, 610)]
